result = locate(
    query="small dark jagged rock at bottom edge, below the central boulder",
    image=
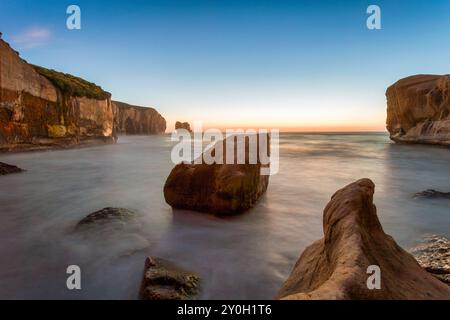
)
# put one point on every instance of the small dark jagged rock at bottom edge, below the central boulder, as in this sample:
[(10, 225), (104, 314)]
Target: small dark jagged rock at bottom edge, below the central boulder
[(163, 280)]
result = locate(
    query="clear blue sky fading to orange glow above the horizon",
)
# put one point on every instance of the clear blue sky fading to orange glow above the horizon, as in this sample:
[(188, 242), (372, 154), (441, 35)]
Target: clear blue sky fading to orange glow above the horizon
[(290, 65)]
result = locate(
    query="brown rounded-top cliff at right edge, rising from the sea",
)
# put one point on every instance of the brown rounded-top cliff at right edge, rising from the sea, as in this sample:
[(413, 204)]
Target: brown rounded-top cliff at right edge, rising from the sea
[(418, 109)]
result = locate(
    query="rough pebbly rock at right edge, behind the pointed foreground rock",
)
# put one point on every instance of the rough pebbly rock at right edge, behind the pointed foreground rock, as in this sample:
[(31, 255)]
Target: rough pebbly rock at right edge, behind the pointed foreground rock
[(434, 256)]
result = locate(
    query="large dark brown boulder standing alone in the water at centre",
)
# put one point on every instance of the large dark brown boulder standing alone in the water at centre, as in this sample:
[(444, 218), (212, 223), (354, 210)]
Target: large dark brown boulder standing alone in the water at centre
[(221, 189)]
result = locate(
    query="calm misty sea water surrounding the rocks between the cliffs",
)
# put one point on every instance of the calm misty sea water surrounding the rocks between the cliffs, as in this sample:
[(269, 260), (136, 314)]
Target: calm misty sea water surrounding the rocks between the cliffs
[(248, 256)]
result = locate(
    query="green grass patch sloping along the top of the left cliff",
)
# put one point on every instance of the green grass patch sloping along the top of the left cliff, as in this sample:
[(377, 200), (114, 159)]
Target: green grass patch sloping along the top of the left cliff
[(73, 86)]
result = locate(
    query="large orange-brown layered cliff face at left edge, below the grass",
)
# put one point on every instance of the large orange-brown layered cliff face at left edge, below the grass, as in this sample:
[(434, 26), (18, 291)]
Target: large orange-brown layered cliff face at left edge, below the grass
[(35, 113)]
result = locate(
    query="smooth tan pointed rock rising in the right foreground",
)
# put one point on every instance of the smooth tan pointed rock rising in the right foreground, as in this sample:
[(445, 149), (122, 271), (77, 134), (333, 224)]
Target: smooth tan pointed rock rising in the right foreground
[(335, 267)]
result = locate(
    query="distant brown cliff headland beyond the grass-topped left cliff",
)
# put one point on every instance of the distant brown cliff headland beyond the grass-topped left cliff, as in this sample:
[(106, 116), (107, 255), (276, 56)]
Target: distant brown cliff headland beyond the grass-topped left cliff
[(131, 119)]
